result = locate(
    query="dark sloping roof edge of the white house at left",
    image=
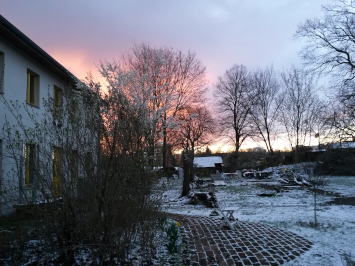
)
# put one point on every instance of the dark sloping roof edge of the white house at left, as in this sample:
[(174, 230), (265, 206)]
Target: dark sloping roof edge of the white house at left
[(13, 35)]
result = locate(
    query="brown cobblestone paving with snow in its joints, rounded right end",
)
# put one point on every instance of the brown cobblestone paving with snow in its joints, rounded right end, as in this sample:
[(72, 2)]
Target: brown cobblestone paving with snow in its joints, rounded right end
[(247, 244)]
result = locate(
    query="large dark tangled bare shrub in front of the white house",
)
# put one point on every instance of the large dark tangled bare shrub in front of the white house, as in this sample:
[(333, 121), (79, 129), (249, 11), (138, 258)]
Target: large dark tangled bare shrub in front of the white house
[(81, 169)]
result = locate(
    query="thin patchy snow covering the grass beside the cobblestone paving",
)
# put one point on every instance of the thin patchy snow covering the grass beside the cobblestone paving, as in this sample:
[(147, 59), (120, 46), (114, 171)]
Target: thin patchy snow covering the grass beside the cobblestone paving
[(292, 209)]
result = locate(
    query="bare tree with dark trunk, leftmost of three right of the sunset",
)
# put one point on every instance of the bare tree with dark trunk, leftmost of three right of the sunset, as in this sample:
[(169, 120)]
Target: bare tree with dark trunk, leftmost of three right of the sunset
[(234, 105)]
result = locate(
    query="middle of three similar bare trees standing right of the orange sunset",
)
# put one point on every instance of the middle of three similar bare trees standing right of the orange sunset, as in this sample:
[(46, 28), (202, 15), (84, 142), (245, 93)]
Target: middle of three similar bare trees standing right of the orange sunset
[(266, 104)]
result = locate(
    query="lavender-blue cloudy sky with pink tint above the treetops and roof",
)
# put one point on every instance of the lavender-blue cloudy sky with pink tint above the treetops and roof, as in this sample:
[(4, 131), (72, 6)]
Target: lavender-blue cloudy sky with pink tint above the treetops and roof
[(79, 33)]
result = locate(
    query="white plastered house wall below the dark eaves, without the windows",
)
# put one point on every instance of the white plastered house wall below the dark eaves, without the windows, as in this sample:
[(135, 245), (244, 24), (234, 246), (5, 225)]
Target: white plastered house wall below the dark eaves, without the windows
[(16, 65)]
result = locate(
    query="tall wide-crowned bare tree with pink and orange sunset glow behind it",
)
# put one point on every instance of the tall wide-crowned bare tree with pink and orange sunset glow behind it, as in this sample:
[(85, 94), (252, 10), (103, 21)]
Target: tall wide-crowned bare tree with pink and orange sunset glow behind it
[(181, 79)]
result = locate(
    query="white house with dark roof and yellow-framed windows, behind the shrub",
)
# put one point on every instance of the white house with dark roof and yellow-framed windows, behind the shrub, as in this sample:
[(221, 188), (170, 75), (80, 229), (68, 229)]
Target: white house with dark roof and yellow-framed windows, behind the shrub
[(27, 75)]
